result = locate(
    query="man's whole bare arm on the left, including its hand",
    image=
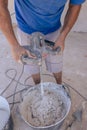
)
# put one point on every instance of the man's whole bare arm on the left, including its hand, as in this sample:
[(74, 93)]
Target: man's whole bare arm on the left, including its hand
[(7, 29)]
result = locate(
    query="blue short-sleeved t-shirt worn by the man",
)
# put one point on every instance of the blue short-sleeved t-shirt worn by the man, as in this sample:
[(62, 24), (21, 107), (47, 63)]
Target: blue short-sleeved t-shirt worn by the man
[(40, 15)]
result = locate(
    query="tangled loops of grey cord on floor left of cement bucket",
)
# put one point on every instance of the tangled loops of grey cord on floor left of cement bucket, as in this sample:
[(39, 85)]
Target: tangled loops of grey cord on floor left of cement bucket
[(16, 85)]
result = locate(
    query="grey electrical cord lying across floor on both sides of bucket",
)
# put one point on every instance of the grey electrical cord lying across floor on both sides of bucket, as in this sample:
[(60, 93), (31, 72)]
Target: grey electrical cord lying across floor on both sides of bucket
[(27, 86)]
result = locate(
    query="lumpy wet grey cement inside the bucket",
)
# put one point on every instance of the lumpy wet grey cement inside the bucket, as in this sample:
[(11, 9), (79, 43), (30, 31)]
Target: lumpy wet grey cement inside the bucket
[(43, 111)]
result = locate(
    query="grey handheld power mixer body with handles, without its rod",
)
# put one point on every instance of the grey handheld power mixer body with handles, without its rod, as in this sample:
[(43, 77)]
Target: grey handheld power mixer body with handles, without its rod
[(38, 46)]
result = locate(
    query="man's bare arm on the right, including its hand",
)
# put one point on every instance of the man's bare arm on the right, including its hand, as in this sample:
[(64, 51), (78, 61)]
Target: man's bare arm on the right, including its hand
[(69, 21)]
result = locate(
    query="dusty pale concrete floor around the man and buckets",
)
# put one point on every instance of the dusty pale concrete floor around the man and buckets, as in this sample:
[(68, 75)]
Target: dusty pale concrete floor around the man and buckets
[(74, 72)]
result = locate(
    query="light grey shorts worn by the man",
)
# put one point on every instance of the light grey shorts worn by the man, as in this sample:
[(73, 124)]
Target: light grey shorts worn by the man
[(54, 63)]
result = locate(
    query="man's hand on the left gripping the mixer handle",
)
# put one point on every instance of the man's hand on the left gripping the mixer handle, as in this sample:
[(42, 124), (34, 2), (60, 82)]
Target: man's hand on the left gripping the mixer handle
[(18, 51)]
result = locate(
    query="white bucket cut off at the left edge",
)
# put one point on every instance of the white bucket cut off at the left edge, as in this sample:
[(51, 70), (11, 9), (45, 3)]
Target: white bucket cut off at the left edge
[(4, 112)]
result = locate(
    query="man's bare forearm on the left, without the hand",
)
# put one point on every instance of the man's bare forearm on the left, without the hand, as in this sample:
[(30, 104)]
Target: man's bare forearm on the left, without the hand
[(6, 25)]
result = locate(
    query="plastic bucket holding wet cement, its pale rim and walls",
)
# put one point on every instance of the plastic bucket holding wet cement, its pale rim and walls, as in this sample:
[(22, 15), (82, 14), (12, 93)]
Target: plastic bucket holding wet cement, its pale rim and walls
[(59, 89)]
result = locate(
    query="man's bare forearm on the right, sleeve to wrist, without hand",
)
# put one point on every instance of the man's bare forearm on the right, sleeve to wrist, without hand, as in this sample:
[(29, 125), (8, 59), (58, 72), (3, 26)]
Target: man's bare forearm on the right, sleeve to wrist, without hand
[(70, 19)]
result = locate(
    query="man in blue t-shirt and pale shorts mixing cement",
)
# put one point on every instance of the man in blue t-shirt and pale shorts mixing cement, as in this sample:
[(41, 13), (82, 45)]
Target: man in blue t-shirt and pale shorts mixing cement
[(39, 16)]
